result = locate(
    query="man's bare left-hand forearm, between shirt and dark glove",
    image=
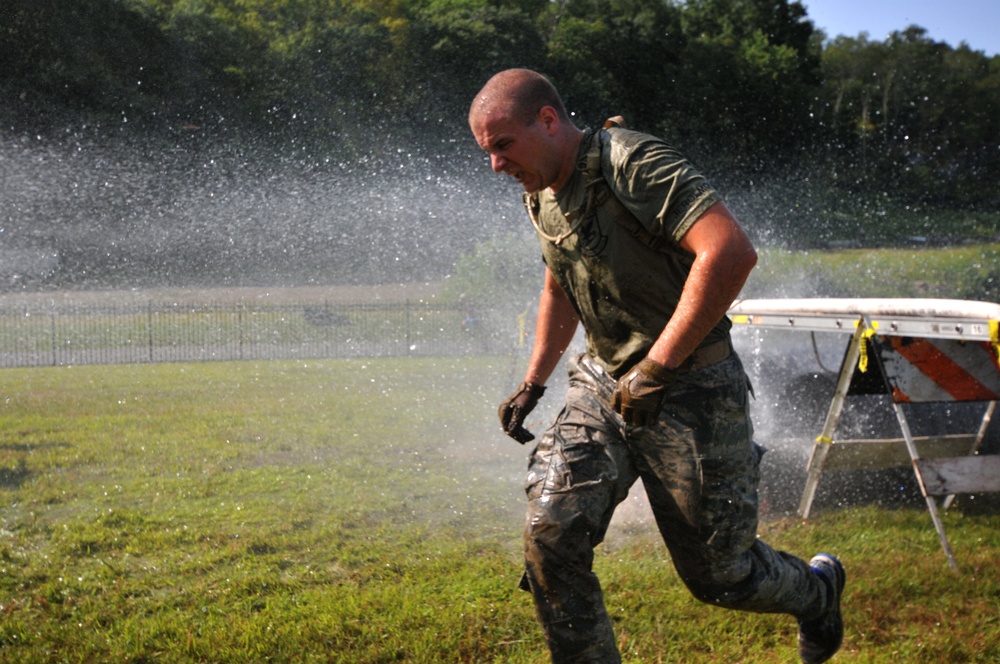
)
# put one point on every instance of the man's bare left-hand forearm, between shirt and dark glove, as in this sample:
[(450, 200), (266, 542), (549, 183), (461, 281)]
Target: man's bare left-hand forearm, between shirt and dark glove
[(557, 321)]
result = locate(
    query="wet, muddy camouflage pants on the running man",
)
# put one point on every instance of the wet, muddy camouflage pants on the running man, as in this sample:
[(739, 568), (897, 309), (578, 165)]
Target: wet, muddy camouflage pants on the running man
[(699, 468)]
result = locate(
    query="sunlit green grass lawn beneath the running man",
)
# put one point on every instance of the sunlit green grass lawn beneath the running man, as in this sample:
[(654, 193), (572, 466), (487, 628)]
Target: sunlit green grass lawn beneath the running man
[(370, 511)]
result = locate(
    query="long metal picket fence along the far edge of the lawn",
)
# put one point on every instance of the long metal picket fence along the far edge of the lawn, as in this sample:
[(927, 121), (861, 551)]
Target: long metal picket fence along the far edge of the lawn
[(106, 333)]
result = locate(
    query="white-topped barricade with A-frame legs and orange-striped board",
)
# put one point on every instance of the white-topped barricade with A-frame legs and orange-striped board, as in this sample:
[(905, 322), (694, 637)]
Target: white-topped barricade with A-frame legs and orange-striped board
[(916, 351)]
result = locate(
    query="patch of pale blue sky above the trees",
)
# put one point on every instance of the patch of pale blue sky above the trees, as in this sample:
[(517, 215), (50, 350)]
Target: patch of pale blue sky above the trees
[(976, 22)]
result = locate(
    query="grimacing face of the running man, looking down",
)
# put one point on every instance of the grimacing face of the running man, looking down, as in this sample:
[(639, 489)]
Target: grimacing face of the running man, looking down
[(521, 151)]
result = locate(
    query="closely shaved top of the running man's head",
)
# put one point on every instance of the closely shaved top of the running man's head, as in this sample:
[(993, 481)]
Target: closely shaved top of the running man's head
[(517, 94)]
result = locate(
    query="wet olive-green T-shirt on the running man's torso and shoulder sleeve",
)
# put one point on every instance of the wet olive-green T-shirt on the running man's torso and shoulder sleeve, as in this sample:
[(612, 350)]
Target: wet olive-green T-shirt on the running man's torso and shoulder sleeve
[(623, 289)]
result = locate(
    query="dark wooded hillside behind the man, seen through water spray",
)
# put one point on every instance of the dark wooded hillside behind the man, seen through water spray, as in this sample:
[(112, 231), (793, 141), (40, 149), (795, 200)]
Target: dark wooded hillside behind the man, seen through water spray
[(814, 144)]
